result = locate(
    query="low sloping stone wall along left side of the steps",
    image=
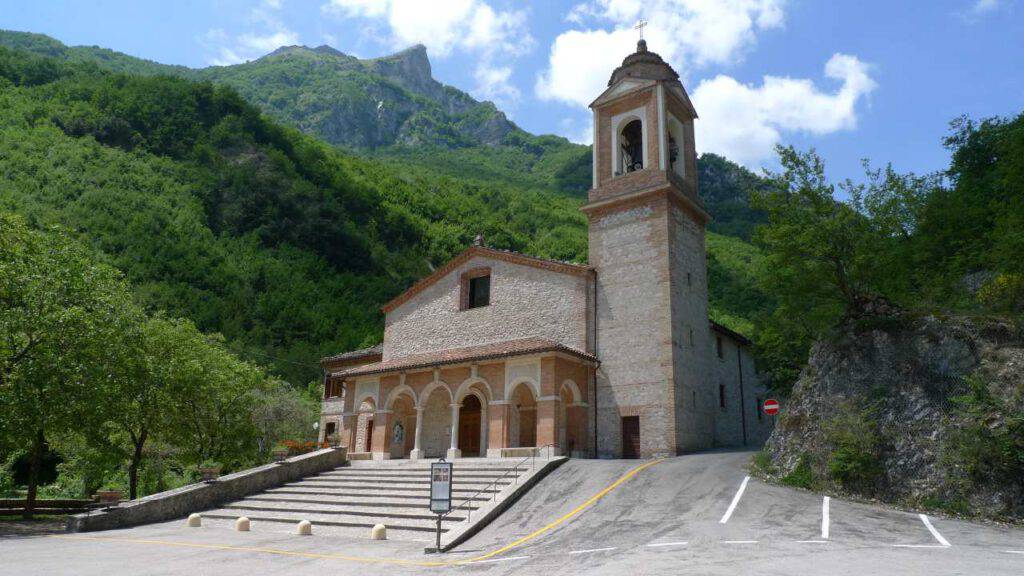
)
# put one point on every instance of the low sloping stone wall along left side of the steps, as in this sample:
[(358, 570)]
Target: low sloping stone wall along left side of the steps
[(197, 498)]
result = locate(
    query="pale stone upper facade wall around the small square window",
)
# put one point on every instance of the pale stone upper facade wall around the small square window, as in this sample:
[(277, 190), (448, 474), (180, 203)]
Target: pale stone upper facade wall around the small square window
[(526, 302)]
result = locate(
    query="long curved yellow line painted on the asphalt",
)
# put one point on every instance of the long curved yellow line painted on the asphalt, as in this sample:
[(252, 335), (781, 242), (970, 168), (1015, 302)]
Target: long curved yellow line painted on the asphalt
[(391, 561)]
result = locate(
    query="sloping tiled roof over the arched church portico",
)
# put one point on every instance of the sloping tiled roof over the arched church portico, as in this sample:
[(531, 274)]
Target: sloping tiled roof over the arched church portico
[(457, 356)]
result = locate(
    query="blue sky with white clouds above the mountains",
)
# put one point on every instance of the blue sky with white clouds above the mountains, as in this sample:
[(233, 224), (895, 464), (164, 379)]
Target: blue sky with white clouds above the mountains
[(864, 79)]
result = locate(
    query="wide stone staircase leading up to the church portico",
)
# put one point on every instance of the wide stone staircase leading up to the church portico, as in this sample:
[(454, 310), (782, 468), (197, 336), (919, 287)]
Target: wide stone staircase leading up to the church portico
[(397, 493)]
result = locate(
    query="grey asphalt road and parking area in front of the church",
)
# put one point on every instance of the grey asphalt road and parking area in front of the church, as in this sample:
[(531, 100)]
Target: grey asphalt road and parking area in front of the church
[(682, 516)]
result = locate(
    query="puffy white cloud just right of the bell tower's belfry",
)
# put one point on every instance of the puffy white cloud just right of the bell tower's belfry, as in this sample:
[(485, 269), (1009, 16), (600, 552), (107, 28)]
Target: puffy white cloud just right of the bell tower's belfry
[(745, 122)]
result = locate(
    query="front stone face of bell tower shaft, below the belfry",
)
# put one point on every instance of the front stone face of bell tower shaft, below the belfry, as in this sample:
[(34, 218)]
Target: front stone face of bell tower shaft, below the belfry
[(629, 251)]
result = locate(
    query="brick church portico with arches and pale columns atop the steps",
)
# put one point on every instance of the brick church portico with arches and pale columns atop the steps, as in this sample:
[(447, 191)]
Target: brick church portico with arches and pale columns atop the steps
[(466, 409)]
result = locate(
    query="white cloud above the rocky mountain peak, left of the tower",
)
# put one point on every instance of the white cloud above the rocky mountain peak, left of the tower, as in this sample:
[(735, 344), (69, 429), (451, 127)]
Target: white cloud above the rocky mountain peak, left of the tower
[(472, 26)]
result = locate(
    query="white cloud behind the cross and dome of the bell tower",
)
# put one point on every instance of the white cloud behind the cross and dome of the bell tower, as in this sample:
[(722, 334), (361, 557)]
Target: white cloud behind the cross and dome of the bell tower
[(689, 34)]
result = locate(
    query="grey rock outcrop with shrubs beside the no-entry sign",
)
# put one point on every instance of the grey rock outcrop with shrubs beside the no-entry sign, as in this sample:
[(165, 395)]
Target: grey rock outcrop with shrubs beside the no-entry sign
[(881, 410)]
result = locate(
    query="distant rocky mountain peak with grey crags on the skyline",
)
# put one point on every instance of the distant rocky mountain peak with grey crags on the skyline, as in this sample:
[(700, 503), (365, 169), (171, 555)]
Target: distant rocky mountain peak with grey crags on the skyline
[(364, 104)]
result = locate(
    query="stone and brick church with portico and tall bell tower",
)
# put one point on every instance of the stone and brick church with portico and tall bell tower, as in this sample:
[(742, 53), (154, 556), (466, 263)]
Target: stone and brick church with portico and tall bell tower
[(498, 353)]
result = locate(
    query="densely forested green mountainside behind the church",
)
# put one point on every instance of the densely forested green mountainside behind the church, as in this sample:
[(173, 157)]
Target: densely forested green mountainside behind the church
[(284, 244)]
